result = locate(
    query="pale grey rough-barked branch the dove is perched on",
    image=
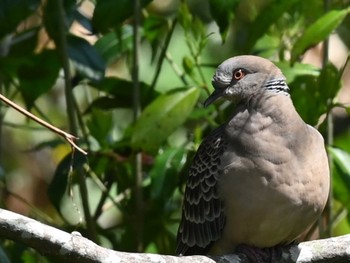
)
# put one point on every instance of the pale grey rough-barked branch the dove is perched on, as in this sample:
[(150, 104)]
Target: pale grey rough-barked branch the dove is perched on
[(72, 247)]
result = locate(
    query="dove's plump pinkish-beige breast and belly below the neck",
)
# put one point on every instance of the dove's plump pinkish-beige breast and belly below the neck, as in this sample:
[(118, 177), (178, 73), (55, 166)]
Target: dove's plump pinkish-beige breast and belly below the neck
[(270, 195)]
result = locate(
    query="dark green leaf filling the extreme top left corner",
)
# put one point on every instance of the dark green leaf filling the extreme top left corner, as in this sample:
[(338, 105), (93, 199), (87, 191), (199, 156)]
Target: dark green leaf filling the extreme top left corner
[(12, 12)]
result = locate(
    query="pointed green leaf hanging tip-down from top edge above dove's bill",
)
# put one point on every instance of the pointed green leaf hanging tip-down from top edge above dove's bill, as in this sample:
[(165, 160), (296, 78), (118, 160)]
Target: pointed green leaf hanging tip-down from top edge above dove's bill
[(223, 14)]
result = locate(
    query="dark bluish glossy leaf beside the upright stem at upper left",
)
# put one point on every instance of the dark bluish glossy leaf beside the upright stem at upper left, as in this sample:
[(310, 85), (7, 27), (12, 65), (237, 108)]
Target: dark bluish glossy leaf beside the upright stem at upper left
[(85, 58)]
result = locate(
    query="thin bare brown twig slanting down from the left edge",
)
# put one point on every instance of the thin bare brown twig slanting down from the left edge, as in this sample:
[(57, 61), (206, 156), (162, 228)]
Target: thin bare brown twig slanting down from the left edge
[(68, 137)]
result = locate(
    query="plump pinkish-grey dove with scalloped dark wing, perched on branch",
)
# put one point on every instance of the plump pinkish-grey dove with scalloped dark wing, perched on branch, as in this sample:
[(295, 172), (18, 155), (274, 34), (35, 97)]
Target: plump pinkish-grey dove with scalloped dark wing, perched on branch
[(260, 179)]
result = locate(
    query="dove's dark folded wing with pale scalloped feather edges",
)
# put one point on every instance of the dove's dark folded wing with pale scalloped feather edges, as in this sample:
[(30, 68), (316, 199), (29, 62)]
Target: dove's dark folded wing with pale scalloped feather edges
[(202, 213)]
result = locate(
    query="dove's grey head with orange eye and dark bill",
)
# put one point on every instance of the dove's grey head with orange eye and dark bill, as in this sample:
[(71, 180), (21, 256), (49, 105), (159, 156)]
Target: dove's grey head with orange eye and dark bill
[(243, 77)]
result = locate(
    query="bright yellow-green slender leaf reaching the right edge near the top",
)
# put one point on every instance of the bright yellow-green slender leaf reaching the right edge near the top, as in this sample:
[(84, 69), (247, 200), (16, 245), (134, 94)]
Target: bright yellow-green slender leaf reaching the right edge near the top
[(318, 31)]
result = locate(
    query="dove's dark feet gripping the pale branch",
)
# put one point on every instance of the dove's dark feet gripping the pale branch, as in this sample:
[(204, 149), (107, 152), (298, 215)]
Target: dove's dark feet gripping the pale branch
[(260, 255)]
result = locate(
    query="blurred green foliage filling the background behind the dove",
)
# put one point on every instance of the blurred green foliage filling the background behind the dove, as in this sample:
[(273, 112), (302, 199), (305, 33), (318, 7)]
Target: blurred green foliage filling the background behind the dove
[(141, 130)]
